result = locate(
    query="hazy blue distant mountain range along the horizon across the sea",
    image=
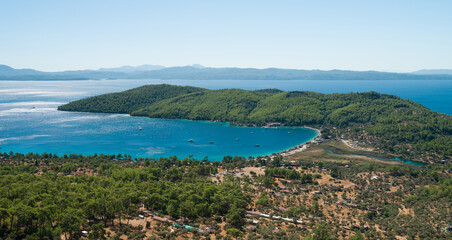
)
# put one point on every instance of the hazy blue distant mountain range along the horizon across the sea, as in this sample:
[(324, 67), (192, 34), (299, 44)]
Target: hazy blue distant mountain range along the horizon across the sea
[(198, 72)]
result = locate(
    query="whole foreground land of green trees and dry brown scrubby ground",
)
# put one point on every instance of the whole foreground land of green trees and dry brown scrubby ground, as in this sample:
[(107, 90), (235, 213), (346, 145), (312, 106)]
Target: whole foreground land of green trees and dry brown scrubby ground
[(50, 197)]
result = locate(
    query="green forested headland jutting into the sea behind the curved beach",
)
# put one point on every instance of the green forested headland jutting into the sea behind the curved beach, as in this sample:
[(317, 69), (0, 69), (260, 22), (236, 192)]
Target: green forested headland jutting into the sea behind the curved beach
[(383, 121)]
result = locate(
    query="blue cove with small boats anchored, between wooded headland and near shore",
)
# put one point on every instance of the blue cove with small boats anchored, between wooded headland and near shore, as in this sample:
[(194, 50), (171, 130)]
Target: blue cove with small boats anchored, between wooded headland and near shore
[(62, 133)]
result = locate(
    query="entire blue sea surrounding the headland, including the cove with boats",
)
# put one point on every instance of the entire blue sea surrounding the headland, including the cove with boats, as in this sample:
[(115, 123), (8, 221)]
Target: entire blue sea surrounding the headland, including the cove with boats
[(30, 122)]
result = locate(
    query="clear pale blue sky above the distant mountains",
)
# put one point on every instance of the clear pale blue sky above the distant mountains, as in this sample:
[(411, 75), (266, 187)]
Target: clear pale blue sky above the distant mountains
[(393, 35)]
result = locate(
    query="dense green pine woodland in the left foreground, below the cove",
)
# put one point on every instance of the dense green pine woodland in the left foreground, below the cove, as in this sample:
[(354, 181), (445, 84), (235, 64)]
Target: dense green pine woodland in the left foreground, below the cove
[(39, 202)]
